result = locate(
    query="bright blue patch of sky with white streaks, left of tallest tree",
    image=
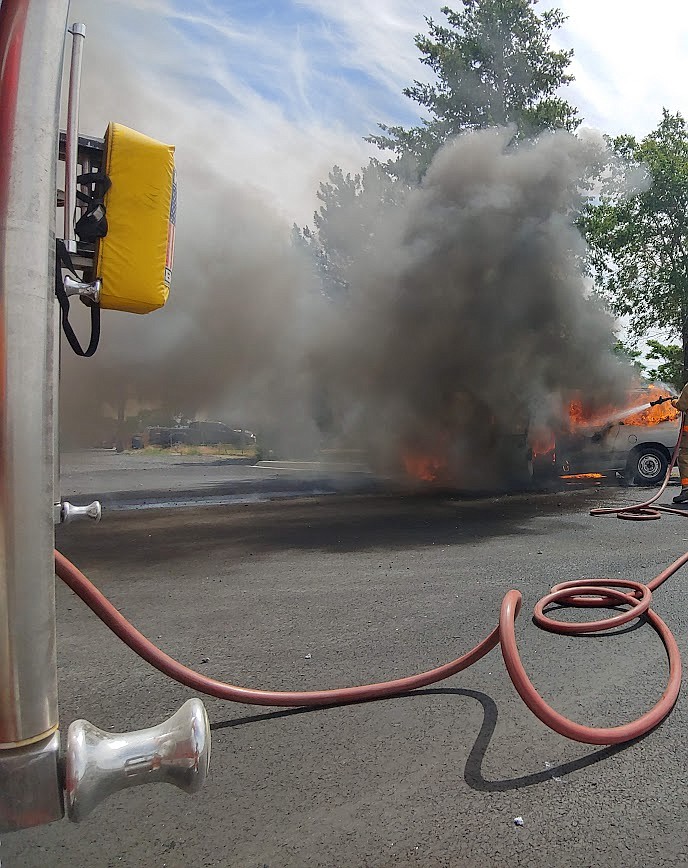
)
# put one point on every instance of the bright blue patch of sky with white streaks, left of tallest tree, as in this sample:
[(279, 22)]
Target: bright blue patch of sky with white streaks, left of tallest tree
[(294, 55)]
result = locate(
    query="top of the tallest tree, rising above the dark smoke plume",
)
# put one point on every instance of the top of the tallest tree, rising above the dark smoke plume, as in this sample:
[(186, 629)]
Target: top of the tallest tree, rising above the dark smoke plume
[(494, 65)]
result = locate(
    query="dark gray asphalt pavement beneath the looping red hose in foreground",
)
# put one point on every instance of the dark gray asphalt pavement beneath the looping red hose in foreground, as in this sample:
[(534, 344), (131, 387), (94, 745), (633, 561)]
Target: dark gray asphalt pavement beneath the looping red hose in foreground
[(338, 589)]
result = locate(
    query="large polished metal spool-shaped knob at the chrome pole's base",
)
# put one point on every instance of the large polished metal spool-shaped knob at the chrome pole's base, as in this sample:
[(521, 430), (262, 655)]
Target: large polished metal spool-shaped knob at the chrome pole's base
[(99, 763)]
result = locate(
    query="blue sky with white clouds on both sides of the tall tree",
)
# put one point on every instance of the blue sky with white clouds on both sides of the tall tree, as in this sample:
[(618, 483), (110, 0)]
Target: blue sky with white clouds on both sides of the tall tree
[(281, 90)]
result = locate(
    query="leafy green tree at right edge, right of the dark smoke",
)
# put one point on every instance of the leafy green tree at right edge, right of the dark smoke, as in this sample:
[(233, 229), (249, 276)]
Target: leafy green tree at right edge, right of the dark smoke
[(639, 242)]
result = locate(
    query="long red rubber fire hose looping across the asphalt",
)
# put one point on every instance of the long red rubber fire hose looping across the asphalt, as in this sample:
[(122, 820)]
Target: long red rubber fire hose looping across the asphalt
[(600, 593)]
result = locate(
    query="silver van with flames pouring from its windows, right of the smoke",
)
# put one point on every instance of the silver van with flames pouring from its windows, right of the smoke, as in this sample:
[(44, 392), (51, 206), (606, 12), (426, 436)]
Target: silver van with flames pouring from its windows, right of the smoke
[(636, 442)]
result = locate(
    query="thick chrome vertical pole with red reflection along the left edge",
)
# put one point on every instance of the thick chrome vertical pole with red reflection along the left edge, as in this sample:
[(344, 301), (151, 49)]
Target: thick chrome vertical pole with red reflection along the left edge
[(32, 36)]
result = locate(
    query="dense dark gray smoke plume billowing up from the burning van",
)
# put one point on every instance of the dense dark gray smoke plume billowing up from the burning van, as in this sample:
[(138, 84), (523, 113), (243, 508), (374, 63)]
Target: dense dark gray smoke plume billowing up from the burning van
[(469, 321)]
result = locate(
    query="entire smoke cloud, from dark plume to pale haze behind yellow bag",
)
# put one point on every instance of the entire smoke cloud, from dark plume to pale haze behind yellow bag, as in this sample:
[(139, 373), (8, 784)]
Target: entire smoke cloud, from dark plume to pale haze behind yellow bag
[(466, 318)]
